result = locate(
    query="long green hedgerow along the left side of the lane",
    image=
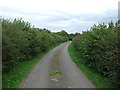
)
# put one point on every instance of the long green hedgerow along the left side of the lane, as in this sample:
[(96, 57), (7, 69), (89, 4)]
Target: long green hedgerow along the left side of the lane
[(21, 42)]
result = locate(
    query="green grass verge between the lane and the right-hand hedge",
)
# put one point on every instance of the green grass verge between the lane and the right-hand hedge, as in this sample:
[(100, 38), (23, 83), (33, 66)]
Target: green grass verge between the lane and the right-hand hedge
[(97, 79)]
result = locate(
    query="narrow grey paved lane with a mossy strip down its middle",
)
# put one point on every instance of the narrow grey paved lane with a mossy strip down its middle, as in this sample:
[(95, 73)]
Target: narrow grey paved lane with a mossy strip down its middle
[(57, 59)]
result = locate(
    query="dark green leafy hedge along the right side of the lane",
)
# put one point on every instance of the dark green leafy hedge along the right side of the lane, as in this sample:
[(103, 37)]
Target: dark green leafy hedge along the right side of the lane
[(100, 48)]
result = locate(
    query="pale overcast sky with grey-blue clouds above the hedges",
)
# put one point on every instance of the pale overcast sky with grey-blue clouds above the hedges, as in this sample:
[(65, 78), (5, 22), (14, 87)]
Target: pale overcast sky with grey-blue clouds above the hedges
[(56, 15)]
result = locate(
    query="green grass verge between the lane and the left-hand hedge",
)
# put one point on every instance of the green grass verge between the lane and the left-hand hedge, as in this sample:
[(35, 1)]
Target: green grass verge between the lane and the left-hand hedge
[(14, 78)]
